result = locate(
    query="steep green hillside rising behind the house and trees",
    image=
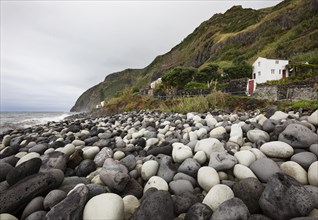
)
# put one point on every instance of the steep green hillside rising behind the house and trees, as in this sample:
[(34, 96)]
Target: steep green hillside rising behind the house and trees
[(285, 31)]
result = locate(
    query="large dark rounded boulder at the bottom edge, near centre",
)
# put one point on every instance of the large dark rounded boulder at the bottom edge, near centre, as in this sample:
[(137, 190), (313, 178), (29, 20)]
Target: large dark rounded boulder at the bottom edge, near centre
[(156, 206)]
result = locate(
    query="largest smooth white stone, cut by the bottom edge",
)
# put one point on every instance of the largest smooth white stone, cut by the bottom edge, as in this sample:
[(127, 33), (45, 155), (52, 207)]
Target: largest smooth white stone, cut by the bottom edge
[(104, 206)]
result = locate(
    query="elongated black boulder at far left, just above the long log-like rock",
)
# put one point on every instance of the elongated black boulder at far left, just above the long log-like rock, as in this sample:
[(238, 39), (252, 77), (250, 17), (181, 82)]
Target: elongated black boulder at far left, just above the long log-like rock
[(23, 170)]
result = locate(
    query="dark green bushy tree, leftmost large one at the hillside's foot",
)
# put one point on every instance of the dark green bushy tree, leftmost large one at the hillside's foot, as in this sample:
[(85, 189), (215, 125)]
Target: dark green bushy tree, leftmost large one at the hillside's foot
[(178, 77)]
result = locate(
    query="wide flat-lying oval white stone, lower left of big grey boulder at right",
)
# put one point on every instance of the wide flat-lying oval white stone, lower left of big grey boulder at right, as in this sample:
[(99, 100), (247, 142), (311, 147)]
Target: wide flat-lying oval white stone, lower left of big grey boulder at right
[(277, 149)]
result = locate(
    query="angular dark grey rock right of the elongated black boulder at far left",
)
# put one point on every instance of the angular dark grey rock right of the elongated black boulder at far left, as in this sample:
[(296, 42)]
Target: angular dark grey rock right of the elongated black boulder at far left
[(54, 160)]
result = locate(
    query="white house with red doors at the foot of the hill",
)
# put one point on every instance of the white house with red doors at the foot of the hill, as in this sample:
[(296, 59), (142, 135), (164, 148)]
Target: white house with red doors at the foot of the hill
[(267, 69)]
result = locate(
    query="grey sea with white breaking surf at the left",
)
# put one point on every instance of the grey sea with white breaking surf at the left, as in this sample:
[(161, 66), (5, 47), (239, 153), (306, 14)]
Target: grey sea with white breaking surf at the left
[(14, 120)]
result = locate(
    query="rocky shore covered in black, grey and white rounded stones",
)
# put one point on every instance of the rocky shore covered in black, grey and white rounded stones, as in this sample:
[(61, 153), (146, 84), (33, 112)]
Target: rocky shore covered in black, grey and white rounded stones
[(152, 165)]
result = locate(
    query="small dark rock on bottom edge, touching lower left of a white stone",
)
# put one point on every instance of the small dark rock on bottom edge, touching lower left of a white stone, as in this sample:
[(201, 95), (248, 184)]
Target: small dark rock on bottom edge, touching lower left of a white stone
[(199, 211)]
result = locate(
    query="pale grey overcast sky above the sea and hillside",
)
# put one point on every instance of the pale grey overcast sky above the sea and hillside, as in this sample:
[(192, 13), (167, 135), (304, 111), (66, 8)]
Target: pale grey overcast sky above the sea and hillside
[(52, 51)]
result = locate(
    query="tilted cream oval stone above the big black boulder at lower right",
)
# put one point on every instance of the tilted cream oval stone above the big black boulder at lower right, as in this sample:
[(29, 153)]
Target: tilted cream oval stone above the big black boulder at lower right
[(293, 169)]
